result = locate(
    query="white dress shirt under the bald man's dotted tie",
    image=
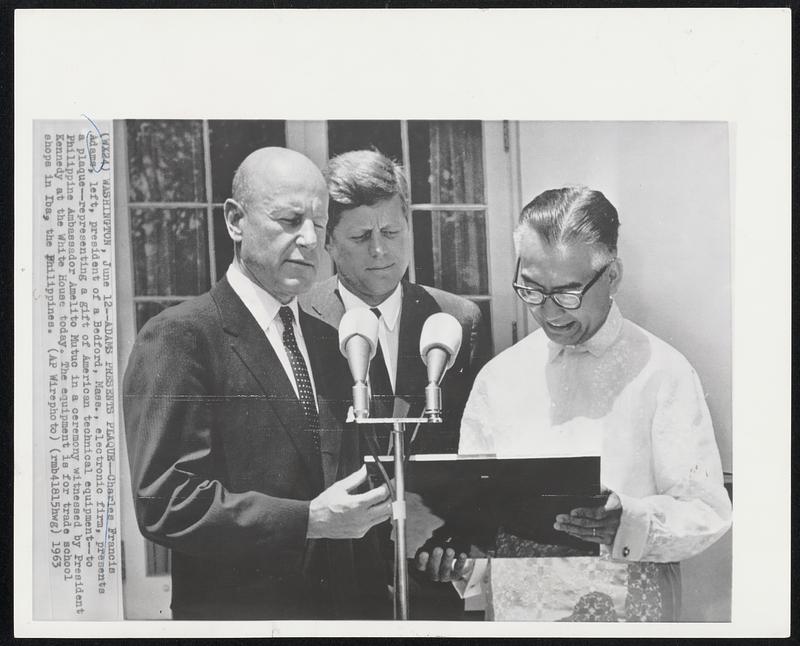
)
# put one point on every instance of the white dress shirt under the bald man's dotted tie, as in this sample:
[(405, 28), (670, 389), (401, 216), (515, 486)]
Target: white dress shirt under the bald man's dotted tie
[(264, 307)]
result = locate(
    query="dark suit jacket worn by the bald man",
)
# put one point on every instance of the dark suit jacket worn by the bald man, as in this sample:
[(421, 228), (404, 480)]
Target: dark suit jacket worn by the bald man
[(223, 470)]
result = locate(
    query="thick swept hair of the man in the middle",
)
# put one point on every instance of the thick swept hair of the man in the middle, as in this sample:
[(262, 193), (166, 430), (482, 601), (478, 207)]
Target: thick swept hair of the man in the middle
[(362, 178)]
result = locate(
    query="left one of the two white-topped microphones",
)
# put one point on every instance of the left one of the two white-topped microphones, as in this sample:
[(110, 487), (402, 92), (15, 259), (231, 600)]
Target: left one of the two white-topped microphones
[(358, 341)]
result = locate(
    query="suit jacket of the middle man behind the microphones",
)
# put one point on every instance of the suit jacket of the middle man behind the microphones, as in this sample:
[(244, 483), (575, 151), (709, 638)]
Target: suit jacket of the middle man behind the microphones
[(419, 302)]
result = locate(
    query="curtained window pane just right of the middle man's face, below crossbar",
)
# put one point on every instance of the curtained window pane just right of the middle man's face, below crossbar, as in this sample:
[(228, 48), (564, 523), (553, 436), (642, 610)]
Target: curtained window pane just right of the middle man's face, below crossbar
[(457, 260)]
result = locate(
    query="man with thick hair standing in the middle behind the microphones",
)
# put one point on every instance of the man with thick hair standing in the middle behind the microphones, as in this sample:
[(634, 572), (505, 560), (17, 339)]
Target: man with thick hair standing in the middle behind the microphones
[(369, 241)]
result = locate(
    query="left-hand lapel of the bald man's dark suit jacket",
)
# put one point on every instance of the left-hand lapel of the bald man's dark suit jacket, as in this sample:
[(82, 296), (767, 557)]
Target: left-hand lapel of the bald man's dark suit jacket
[(251, 346)]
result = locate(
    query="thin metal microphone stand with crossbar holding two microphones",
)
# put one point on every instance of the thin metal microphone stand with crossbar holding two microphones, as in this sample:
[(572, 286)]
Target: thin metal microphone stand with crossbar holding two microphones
[(399, 502)]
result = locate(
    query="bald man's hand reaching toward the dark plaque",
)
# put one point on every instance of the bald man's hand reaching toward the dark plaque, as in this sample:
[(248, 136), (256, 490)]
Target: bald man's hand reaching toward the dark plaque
[(336, 513)]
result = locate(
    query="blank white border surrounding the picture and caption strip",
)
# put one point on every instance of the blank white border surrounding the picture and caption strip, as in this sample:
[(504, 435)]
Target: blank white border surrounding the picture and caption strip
[(532, 64)]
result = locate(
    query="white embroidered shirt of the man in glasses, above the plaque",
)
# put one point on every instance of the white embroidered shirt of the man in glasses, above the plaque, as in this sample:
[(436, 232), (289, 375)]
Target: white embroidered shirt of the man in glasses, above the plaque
[(637, 400)]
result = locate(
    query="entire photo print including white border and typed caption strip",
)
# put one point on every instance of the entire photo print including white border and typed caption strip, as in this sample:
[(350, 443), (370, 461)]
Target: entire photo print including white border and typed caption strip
[(371, 371)]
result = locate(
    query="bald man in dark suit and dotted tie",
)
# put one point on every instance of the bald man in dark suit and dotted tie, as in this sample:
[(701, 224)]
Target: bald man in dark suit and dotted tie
[(233, 403)]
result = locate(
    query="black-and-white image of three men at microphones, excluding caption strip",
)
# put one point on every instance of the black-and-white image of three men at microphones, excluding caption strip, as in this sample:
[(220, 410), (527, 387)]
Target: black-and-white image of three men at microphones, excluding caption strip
[(434, 235)]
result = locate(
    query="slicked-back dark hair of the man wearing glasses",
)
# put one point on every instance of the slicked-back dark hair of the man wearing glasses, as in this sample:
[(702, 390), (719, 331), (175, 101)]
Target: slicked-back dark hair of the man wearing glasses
[(573, 214)]
